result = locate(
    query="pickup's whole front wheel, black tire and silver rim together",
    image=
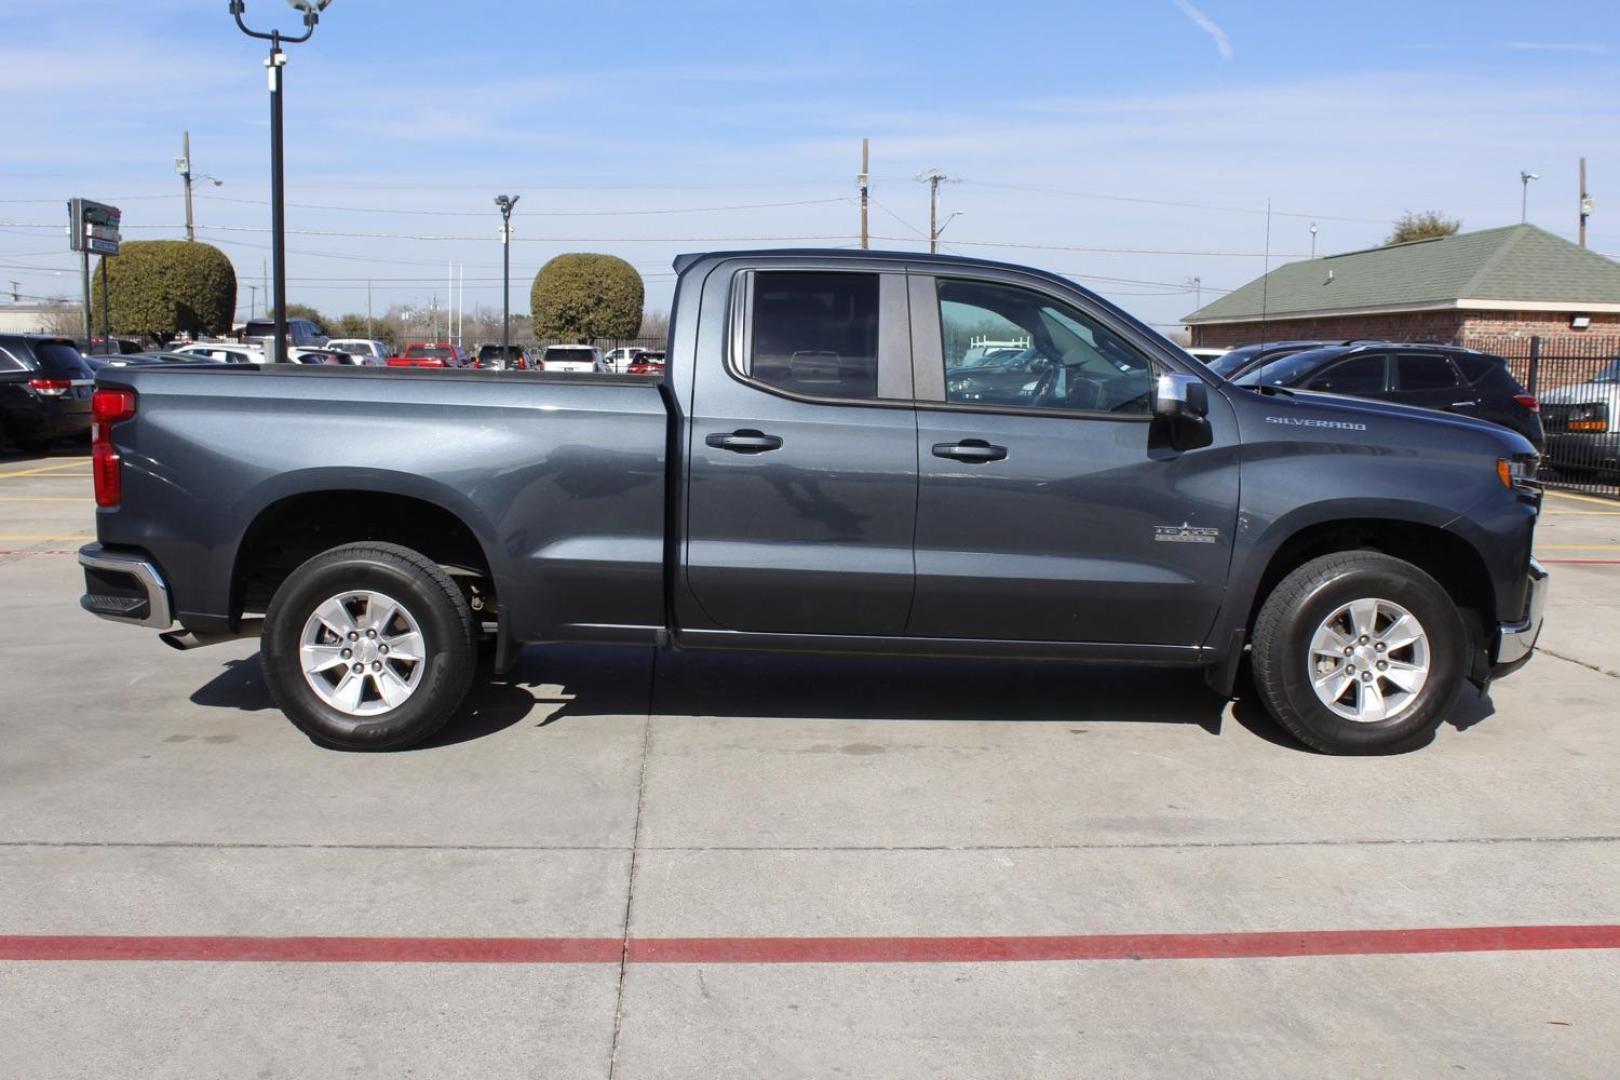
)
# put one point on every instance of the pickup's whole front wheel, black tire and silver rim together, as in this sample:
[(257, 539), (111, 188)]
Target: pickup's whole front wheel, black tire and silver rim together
[(1360, 653)]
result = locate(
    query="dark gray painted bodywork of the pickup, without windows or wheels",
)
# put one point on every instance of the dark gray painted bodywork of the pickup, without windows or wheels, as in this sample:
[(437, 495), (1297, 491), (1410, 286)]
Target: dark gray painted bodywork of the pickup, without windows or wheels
[(607, 516)]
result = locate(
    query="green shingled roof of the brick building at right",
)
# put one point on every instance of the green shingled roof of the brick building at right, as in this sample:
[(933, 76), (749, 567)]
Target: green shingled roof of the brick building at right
[(1514, 265)]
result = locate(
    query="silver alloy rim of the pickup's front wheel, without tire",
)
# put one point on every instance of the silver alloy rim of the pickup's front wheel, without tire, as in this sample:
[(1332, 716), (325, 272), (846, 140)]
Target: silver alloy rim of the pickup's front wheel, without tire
[(1370, 661)]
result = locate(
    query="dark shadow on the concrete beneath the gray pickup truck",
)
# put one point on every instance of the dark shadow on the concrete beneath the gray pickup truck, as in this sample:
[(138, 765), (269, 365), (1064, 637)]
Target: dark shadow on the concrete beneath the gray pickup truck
[(576, 684)]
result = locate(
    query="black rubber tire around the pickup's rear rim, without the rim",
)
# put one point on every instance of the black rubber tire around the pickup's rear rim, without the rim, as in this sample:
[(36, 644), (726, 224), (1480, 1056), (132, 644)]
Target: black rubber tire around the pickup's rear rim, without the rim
[(430, 597)]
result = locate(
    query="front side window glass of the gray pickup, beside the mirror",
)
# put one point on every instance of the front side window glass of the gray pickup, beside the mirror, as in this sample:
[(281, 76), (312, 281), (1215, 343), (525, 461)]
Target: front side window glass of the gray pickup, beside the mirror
[(1015, 347)]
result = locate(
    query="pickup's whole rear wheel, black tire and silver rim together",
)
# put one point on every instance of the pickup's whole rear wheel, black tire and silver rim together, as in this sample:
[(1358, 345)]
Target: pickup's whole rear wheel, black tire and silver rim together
[(370, 647)]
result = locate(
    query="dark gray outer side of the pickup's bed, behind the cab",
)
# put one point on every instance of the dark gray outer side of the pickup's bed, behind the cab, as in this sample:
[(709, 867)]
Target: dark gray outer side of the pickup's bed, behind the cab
[(560, 478)]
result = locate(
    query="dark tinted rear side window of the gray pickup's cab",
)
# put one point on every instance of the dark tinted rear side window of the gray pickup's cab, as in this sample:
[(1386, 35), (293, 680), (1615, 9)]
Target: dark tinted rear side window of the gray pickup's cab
[(816, 333)]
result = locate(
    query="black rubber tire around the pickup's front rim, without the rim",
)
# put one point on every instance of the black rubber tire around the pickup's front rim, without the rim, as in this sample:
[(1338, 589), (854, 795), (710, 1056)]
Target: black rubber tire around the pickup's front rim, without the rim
[(1303, 602)]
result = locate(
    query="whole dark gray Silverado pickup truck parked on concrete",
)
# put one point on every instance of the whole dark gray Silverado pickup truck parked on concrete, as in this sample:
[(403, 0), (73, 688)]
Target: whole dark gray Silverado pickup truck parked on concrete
[(829, 466)]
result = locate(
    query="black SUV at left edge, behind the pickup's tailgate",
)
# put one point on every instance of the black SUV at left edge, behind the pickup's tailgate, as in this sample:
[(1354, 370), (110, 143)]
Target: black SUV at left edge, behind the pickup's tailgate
[(45, 391)]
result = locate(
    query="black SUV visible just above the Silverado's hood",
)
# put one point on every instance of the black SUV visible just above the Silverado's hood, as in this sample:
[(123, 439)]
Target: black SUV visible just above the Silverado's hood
[(1428, 376)]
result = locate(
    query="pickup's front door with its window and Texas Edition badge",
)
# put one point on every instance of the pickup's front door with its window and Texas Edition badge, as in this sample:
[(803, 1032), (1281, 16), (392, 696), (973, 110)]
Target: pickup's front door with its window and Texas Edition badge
[(1052, 506)]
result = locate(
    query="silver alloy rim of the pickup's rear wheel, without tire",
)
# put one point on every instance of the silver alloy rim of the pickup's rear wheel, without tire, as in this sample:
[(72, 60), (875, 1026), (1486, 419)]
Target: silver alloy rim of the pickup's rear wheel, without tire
[(362, 653)]
